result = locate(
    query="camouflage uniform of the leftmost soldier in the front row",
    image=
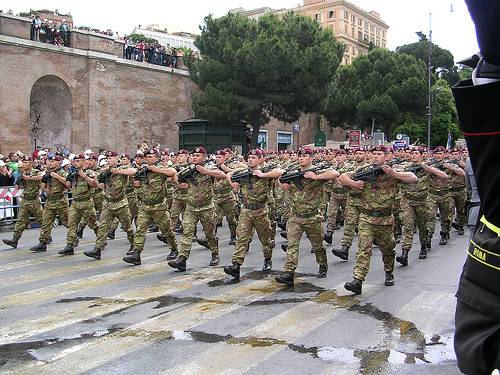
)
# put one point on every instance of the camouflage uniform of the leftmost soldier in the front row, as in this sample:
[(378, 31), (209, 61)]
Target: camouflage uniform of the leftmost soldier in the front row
[(30, 204)]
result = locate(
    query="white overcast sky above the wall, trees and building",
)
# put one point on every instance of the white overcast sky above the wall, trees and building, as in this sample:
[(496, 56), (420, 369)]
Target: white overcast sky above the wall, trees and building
[(451, 30)]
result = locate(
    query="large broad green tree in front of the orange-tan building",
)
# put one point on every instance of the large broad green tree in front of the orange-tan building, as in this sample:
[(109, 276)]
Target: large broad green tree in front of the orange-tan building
[(251, 70)]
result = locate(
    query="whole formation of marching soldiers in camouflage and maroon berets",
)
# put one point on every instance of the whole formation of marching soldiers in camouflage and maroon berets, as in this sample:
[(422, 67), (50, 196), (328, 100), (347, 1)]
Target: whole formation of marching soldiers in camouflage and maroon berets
[(381, 194)]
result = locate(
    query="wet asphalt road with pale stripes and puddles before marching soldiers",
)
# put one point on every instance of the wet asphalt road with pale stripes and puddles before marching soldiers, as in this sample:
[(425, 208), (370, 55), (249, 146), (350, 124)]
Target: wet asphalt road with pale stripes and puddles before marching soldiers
[(70, 315)]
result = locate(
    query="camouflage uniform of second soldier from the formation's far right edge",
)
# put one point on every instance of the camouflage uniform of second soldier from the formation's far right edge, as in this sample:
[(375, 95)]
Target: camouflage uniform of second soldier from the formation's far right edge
[(439, 198)]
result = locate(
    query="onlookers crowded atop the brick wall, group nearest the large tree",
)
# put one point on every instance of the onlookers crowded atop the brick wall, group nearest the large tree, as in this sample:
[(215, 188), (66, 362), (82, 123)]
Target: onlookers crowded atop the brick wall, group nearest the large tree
[(153, 53)]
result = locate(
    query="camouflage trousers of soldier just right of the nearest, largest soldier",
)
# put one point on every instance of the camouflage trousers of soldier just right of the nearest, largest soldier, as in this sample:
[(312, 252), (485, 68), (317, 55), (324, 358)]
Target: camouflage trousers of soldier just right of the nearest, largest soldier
[(413, 214)]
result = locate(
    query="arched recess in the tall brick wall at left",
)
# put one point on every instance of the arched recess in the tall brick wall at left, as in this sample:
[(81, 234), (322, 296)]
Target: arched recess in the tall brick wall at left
[(50, 112)]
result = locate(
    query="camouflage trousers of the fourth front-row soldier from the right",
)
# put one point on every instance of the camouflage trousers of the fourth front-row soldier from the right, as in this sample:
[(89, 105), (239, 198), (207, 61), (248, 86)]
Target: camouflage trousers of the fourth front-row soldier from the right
[(189, 222)]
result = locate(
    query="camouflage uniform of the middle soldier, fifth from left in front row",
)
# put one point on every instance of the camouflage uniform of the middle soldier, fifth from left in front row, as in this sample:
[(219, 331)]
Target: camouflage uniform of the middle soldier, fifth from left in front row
[(153, 209)]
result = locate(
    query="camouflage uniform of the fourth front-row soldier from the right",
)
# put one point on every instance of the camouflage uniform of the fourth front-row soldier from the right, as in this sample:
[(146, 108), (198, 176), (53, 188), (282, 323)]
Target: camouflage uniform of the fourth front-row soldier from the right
[(199, 207)]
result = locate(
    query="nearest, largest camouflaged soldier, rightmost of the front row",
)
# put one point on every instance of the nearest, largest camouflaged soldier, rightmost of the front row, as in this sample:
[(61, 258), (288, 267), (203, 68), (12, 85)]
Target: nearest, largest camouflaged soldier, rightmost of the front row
[(376, 220)]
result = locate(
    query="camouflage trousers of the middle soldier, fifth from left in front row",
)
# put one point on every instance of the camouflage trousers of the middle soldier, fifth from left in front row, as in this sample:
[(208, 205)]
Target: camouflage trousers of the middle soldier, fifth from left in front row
[(157, 215)]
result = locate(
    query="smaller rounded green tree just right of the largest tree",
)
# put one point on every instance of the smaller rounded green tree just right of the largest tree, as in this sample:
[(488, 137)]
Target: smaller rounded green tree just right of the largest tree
[(376, 89)]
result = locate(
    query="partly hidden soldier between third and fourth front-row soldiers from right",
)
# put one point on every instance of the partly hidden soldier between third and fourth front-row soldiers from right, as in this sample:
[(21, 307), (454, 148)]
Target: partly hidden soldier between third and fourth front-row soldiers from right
[(225, 200)]
